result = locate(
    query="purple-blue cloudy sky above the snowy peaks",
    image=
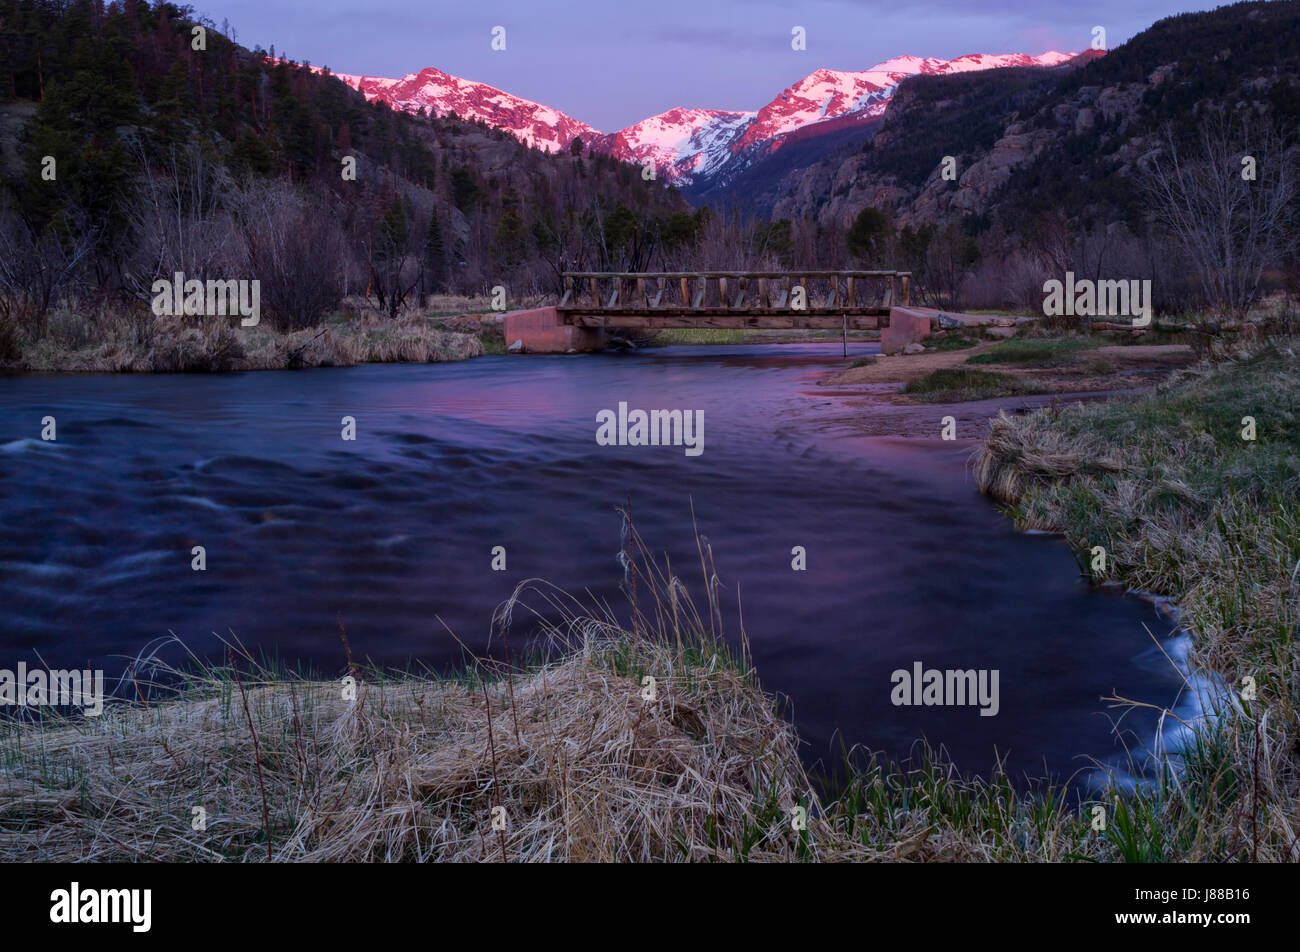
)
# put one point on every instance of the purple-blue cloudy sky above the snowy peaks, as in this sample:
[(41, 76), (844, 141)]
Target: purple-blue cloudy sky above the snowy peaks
[(612, 63)]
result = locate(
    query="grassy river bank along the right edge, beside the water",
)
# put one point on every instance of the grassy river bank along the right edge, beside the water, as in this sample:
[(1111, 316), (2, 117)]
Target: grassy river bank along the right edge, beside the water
[(1191, 492)]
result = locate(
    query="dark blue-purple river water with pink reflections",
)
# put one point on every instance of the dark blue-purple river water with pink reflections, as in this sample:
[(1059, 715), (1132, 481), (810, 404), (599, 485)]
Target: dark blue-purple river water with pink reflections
[(395, 533)]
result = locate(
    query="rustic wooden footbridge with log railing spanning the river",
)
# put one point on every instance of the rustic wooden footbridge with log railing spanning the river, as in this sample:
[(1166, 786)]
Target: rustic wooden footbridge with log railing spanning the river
[(825, 300)]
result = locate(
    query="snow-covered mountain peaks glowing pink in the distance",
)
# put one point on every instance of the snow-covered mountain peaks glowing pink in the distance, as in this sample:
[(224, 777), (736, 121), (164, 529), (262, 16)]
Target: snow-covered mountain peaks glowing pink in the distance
[(690, 148)]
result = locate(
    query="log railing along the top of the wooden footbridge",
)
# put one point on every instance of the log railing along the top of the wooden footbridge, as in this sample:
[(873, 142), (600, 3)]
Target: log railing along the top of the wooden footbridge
[(727, 292)]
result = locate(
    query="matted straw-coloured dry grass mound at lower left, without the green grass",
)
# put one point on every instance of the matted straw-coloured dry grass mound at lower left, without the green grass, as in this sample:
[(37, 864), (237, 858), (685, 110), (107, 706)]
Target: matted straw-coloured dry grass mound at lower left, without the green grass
[(411, 771)]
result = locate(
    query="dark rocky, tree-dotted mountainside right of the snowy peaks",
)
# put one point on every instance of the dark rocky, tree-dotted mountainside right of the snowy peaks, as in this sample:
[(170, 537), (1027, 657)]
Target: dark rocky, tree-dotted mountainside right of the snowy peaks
[(1032, 145)]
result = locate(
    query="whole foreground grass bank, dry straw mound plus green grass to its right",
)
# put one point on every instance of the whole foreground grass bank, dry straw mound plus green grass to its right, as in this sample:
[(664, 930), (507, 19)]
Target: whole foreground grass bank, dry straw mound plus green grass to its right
[(413, 768)]
